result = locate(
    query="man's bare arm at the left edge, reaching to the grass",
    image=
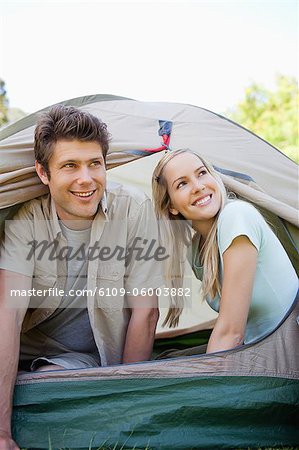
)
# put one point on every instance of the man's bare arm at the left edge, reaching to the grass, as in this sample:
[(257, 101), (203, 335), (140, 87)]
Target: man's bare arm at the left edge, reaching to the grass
[(11, 318)]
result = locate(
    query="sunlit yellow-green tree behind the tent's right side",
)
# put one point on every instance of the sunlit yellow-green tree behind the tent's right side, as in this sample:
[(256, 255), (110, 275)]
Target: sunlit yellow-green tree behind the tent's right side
[(272, 115)]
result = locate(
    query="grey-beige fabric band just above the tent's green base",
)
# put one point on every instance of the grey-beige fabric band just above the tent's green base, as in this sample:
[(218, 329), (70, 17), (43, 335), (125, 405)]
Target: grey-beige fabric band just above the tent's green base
[(275, 355)]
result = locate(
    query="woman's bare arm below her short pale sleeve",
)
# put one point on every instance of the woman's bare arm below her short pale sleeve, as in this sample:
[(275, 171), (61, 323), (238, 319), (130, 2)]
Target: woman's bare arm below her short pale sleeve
[(239, 265)]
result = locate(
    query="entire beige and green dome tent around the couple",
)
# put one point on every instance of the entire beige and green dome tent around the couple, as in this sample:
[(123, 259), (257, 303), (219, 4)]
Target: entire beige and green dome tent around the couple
[(245, 397)]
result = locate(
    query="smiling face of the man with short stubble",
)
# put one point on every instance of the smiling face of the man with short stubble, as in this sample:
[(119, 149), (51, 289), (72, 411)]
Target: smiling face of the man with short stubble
[(77, 179)]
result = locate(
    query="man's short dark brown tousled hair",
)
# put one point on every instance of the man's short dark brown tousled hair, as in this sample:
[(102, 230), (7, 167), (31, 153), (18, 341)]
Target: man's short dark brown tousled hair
[(68, 123)]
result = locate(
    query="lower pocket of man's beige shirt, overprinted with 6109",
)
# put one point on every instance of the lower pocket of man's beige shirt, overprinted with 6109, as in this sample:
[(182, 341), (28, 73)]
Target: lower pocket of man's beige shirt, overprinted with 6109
[(110, 289)]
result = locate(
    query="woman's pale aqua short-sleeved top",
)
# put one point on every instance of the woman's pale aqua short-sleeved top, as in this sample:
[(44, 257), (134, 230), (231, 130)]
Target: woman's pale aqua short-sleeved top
[(275, 283)]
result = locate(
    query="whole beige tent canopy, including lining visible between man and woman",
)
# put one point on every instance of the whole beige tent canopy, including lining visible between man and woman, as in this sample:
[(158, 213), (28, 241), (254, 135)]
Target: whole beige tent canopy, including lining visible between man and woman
[(249, 166)]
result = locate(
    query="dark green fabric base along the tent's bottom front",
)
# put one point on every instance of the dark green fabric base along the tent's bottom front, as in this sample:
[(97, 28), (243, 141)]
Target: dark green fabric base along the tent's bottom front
[(187, 413)]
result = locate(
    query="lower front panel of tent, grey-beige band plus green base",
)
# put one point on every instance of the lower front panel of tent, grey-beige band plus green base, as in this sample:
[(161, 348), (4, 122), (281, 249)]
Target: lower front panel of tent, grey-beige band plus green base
[(205, 401)]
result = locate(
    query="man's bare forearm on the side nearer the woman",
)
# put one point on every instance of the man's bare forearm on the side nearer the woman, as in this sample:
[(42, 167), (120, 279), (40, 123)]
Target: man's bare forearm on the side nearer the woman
[(141, 329)]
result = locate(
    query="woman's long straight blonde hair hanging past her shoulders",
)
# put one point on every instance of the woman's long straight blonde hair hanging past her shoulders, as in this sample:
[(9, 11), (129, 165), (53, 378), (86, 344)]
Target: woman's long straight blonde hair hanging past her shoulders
[(176, 236)]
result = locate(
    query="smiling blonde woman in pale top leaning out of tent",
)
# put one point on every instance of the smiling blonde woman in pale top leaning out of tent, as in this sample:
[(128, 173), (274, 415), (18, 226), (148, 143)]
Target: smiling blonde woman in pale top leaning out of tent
[(246, 274)]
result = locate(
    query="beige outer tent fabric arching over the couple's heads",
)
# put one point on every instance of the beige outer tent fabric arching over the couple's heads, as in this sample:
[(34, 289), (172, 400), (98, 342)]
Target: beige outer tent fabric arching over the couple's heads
[(134, 126)]
